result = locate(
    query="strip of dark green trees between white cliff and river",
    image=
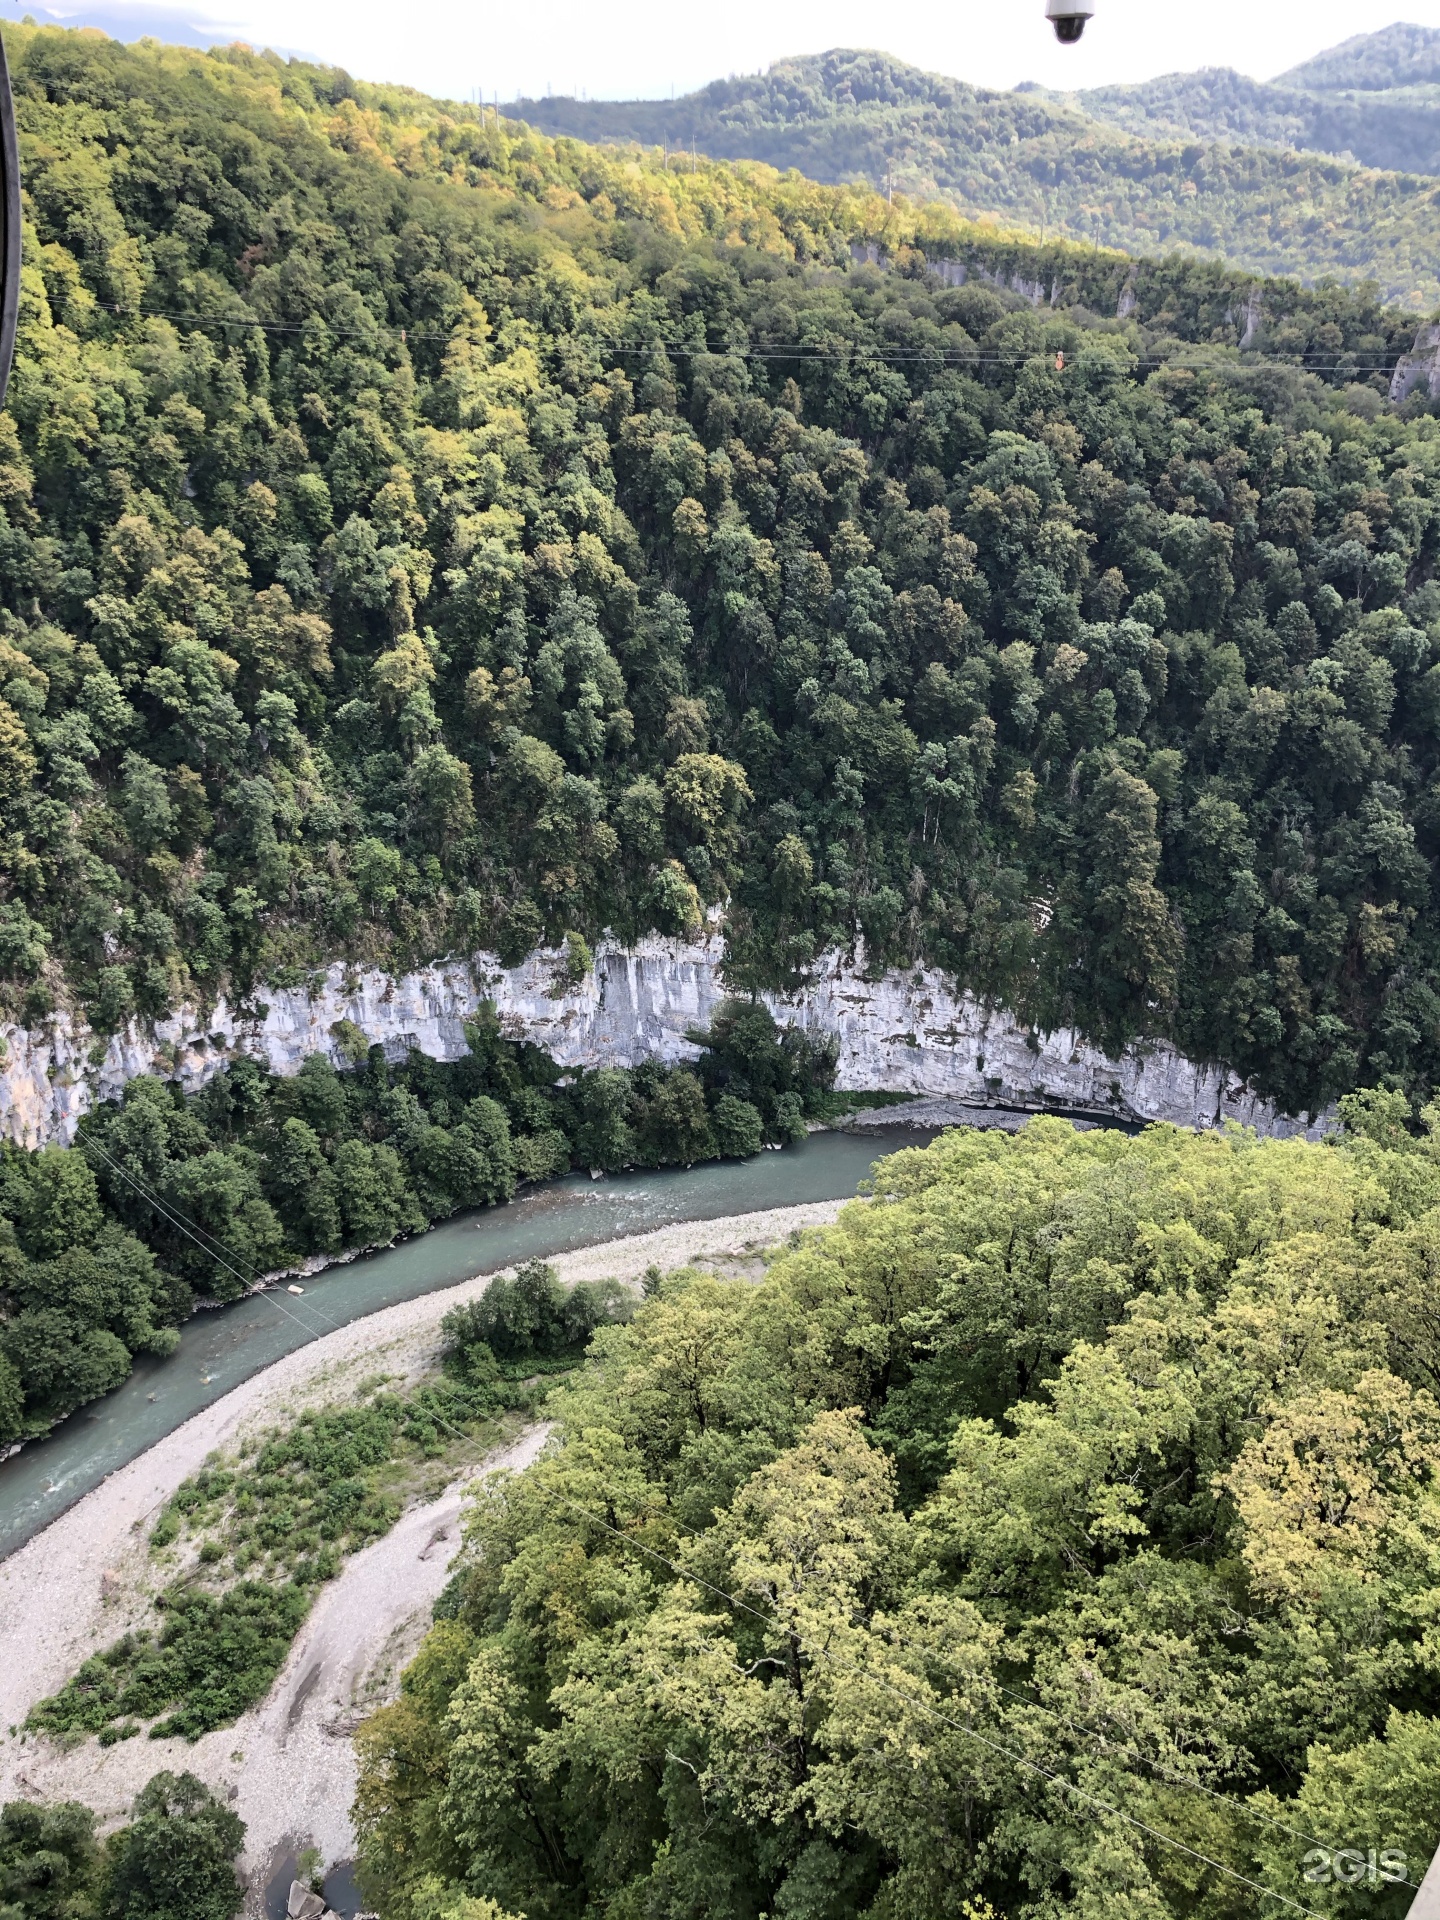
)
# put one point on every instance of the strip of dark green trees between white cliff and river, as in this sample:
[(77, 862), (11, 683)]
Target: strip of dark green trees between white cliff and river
[(105, 1247)]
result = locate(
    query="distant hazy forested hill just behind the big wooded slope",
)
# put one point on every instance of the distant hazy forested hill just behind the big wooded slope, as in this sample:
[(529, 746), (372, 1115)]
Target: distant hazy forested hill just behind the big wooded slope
[(1111, 174)]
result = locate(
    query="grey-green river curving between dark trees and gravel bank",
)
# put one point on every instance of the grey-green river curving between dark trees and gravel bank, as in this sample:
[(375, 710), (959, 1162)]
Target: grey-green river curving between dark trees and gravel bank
[(226, 1347)]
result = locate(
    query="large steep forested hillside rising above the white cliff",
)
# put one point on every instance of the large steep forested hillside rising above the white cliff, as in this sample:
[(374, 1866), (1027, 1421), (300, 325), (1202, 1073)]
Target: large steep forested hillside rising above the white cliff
[(425, 537)]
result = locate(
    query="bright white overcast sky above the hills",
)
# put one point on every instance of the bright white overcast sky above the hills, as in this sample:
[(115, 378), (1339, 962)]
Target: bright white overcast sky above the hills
[(650, 47)]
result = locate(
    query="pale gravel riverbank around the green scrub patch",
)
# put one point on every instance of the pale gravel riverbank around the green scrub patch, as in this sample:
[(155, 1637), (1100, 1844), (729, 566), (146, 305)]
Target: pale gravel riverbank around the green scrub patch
[(289, 1765)]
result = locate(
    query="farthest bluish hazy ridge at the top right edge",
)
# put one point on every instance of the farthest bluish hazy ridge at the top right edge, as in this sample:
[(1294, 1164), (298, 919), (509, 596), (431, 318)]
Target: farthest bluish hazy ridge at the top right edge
[(1374, 99)]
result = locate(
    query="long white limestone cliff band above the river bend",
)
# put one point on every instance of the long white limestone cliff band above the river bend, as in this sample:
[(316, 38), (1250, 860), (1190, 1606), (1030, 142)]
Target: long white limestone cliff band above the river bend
[(905, 1032)]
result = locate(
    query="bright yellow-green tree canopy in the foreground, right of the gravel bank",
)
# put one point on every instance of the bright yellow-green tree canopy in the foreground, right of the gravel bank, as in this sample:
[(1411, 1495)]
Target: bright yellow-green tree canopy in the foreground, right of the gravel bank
[(1053, 1535)]
